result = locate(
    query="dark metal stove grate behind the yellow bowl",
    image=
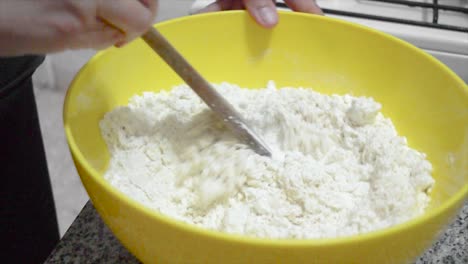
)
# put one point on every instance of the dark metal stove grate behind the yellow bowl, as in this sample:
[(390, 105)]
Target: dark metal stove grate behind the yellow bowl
[(435, 6)]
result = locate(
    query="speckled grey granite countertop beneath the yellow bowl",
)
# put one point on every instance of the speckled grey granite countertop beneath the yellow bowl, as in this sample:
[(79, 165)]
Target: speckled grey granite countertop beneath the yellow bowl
[(88, 240)]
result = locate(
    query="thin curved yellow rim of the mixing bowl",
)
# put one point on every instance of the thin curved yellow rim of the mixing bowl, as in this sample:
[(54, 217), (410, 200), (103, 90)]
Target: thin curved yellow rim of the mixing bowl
[(265, 242)]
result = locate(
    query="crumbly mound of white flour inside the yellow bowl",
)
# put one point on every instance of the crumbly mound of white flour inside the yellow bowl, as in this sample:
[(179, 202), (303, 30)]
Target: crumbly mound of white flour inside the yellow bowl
[(339, 168)]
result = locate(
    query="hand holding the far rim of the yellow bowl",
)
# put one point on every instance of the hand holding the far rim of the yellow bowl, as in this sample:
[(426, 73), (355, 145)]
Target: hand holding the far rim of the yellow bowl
[(263, 11)]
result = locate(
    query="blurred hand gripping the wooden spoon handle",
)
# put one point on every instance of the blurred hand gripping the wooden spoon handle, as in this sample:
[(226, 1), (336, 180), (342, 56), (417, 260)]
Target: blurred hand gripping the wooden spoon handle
[(42, 26)]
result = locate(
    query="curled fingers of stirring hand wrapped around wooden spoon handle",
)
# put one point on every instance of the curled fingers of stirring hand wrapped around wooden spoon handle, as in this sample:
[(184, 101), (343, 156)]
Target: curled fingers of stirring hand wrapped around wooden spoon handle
[(129, 16)]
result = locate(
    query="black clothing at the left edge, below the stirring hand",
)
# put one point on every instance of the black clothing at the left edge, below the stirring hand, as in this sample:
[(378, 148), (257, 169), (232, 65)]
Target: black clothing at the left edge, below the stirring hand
[(28, 221)]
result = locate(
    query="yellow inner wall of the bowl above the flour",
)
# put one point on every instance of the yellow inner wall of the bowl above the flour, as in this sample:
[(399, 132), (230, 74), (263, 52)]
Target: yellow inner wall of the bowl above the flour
[(426, 101)]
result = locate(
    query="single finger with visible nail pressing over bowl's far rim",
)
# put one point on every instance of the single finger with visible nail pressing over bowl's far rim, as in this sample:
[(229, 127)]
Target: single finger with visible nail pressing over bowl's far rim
[(263, 11)]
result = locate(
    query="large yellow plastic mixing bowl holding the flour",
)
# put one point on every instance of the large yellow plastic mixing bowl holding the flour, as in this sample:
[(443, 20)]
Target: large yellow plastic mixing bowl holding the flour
[(427, 102)]
